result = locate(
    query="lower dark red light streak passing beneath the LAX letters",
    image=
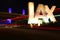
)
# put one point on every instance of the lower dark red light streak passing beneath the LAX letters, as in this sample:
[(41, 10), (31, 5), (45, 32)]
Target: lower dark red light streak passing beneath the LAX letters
[(42, 28)]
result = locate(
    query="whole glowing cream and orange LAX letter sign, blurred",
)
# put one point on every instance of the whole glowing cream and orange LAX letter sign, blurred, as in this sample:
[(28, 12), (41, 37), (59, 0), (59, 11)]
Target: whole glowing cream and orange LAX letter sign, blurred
[(42, 13)]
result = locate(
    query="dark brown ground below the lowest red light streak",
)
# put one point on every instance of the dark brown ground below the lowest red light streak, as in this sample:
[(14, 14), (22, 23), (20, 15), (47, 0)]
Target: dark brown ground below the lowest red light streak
[(28, 34)]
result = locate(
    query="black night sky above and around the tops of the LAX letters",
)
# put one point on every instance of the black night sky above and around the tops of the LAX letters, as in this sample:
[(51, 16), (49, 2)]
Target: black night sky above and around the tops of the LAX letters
[(18, 5)]
